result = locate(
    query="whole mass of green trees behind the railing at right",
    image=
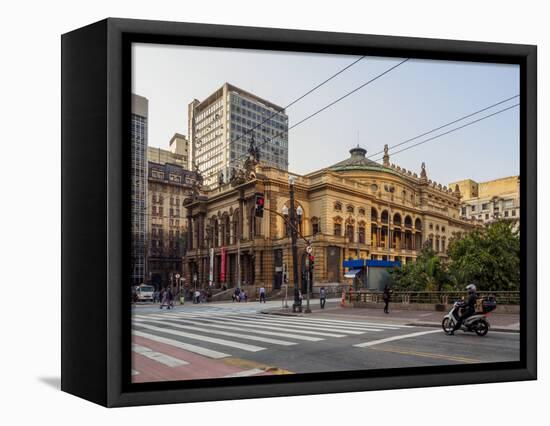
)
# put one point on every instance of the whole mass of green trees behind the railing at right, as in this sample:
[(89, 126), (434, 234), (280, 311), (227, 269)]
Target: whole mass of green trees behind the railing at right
[(487, 256)]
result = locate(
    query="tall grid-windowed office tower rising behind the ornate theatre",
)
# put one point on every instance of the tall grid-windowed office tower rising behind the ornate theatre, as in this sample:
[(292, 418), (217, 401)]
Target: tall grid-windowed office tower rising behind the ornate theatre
[(220, 131)]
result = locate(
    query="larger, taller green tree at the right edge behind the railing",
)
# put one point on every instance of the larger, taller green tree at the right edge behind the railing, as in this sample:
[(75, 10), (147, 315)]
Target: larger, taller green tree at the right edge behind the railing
[(488, 257)]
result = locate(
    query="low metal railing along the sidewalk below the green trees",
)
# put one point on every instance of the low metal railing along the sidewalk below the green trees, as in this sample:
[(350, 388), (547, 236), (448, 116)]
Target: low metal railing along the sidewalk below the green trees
[(430, 297)]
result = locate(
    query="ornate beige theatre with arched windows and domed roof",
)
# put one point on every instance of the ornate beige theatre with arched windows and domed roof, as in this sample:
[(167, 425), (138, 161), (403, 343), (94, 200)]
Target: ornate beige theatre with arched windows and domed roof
[(356, 208)]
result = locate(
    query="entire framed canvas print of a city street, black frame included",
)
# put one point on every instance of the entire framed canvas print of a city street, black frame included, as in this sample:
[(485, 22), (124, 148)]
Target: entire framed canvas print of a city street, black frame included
[(254, 212)]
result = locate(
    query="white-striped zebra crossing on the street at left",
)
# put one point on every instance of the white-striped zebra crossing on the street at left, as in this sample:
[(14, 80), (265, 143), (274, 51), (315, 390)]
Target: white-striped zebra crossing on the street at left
[(222, 333)]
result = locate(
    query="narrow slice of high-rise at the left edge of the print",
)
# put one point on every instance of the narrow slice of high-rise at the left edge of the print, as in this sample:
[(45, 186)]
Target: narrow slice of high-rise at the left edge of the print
[(138, 170)]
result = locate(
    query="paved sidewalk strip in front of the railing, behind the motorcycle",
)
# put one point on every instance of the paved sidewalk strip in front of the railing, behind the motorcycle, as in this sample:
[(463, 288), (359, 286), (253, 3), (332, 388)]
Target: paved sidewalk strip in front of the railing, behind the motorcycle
[(499, 322)]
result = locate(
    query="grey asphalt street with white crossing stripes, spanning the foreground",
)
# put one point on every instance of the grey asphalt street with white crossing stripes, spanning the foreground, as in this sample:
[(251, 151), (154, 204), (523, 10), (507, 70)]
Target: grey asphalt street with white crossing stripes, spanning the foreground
[(222, 340)]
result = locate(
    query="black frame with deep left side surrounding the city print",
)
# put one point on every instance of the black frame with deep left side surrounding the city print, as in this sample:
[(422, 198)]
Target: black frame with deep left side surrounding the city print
[(95, 211)]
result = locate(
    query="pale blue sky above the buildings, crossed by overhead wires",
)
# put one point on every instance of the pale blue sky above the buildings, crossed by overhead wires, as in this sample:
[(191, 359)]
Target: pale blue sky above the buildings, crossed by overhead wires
[(412, 99)]
